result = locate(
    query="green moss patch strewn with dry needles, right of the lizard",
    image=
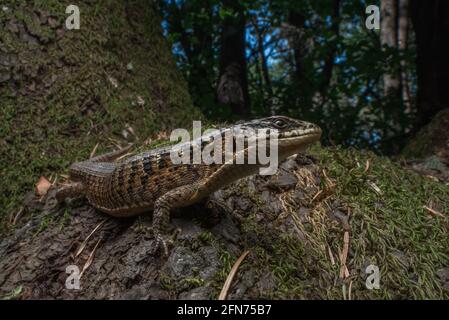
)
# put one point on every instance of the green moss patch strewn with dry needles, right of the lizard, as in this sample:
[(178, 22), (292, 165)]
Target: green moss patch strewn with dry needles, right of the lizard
[(381, 207)]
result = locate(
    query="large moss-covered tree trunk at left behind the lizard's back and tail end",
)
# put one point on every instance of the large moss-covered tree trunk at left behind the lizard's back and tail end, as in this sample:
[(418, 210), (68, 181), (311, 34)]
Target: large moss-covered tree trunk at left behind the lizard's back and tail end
[(62, 91)]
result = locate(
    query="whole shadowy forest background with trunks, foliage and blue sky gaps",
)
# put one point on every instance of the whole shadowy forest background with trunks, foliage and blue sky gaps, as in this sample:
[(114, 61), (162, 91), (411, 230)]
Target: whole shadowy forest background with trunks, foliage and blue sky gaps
[(317, 61)]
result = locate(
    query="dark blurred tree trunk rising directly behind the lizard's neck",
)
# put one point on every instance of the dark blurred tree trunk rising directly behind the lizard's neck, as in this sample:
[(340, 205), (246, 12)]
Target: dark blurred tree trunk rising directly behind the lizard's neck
[(233, 82)]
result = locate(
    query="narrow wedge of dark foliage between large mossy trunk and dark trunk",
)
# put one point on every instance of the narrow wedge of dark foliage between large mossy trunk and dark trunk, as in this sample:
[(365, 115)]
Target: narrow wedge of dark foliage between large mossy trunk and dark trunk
[(192, 27)]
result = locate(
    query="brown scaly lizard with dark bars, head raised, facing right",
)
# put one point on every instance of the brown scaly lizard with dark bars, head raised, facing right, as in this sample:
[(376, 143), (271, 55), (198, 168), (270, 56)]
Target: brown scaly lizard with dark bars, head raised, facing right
[(150, 181)]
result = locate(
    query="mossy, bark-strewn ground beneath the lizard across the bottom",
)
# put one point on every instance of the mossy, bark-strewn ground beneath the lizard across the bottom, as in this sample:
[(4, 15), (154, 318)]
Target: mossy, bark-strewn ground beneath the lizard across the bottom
[(311, 231)]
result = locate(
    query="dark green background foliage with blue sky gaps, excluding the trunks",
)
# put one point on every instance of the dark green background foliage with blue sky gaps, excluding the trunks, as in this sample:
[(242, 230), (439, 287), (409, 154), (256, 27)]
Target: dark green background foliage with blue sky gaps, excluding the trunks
[(352, 109)]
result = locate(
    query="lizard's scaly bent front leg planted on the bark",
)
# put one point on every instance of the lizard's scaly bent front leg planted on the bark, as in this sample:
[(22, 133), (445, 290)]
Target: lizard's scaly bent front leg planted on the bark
[(176, 198)]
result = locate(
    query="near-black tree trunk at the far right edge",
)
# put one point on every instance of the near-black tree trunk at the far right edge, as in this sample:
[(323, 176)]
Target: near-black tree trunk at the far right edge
[(431, 28)]
